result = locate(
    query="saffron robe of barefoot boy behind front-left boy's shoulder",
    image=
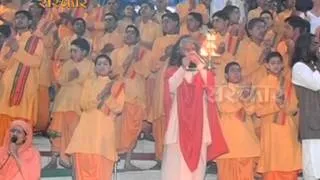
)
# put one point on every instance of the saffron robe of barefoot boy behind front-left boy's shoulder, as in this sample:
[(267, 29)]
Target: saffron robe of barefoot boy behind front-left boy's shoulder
[(66, 109)]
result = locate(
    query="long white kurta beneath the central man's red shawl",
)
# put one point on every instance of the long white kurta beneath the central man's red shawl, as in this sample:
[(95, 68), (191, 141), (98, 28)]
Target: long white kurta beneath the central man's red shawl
[(174, 166)]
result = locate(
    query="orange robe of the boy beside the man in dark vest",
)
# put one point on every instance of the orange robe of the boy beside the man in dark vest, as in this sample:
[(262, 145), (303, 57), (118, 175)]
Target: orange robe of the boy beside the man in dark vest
[(280, 148)]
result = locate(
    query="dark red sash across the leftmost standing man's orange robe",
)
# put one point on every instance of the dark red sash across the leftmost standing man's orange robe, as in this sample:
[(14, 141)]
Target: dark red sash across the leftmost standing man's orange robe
[(22, 74)]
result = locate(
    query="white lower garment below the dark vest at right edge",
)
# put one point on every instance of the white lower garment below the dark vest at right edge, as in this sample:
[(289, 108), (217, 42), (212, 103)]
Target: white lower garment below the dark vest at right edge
[(311, 159)]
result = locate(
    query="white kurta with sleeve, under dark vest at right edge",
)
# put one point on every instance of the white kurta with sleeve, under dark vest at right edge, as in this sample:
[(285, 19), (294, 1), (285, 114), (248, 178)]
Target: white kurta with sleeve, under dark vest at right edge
[(303, 76)]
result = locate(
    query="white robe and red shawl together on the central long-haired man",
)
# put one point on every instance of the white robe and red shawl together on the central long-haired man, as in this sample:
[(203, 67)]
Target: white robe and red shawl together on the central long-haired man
[(193, 134)]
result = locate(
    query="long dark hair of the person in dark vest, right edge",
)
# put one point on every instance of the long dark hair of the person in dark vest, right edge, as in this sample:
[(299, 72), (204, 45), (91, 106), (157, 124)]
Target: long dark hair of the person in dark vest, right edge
[(302, 52)]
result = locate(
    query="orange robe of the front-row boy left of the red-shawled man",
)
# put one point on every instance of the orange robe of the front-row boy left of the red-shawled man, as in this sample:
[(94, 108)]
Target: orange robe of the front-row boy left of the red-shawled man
[(93, 143)]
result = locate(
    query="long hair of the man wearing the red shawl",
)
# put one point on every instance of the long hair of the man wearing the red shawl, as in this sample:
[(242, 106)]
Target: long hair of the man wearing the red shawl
[(176, 56)]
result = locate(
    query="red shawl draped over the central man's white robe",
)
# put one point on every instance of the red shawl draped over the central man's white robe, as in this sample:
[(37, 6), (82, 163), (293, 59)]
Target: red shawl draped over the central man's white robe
[(190, 108)]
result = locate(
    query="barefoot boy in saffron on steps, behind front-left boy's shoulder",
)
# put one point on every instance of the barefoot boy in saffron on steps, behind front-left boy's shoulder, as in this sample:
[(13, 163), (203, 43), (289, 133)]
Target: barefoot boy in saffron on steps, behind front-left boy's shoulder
[(66, 110)]
